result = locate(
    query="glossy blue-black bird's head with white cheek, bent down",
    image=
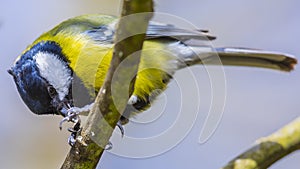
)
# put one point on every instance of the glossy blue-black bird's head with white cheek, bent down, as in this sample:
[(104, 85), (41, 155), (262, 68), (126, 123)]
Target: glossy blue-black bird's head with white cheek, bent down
[(43, 78)]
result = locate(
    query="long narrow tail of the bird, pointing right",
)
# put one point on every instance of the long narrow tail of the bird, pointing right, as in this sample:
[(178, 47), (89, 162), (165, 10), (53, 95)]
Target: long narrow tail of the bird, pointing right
[(245, 57)]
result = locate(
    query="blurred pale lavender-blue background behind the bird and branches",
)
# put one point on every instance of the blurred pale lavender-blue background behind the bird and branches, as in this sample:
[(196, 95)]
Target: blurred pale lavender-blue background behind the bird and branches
[(258, 101)]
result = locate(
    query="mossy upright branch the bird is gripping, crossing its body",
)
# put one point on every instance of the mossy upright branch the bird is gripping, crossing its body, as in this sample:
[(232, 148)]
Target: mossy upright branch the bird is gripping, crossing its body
[(104, 115)]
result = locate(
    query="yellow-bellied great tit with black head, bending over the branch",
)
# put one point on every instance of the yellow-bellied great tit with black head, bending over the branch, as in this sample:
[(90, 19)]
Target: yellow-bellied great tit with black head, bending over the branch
[(75, 56)]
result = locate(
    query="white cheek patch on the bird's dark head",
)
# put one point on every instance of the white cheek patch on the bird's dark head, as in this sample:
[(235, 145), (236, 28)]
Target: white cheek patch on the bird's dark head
[(55, 71)]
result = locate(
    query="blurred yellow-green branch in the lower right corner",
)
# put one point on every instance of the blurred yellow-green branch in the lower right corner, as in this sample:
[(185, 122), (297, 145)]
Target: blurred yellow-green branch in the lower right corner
[(270, 149)]
